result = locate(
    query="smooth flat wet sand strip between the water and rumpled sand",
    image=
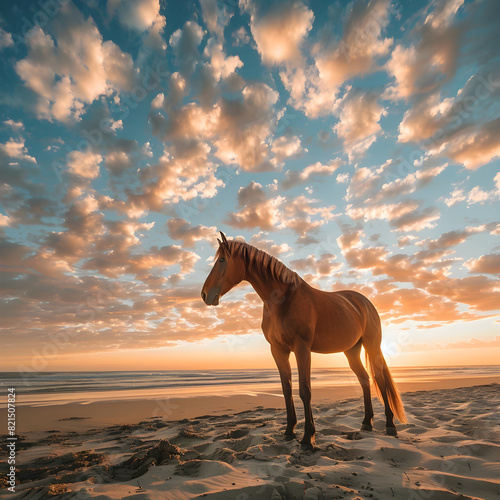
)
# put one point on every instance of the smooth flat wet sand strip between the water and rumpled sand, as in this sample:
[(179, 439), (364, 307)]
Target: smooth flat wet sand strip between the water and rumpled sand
[(77, 416)]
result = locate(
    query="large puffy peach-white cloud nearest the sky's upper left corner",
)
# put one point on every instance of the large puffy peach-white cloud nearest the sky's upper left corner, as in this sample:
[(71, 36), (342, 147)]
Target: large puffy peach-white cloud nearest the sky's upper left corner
[(73, 67)]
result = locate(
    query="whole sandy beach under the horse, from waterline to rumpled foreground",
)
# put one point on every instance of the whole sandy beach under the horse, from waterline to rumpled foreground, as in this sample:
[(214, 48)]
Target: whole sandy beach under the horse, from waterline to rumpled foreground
[(218, 448)]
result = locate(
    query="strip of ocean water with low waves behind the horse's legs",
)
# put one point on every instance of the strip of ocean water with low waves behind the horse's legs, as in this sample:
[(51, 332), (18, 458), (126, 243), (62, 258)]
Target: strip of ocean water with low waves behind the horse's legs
[(46, 388)]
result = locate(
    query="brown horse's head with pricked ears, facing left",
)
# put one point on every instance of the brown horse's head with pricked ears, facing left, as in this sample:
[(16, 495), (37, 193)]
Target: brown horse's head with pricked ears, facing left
[(227, 272)]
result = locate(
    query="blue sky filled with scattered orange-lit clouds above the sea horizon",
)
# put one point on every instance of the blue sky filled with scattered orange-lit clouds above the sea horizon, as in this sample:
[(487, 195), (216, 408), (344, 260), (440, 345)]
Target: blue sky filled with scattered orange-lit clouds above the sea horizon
[(359, 142)]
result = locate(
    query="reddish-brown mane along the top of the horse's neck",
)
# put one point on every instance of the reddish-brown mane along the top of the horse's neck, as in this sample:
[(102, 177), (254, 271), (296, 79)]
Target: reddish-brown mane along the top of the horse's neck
[(260, 261)]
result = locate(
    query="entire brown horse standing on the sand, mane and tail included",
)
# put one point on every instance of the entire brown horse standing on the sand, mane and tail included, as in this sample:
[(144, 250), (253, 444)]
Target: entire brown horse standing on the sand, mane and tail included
[(303, 319)]
